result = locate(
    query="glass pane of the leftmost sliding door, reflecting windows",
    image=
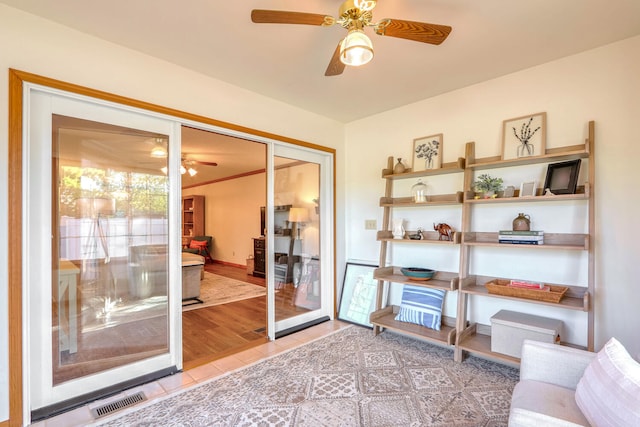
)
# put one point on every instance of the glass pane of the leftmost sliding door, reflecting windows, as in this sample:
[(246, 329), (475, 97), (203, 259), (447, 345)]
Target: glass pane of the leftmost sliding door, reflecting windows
[(109, 249)]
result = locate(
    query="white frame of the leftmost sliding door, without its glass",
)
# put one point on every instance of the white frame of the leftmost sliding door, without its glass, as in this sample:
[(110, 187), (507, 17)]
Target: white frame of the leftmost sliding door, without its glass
[(39, 104)]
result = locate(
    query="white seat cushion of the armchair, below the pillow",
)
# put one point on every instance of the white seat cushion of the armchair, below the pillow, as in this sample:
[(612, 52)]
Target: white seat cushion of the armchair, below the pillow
[(537, 404)]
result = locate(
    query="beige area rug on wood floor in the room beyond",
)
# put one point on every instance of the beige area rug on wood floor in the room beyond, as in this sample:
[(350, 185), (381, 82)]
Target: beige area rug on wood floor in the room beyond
[(216, 290)]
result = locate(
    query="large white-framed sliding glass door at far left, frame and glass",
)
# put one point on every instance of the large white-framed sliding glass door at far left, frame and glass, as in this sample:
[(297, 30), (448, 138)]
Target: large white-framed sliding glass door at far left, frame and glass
[(101, 249)]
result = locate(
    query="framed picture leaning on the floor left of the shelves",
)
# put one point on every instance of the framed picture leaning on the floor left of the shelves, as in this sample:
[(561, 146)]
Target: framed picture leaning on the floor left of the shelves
[(358, 297)]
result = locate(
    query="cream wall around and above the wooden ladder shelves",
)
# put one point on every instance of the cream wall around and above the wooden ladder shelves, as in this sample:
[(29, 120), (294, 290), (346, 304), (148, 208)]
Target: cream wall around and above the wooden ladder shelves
[(600, 85)]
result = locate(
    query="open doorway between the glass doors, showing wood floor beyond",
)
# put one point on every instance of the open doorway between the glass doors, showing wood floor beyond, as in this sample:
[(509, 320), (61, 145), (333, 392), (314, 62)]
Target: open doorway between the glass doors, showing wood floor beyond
[(230, 183)]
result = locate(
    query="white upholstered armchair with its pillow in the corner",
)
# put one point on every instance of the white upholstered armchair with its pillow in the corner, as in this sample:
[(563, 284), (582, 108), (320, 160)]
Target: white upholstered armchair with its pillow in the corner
[(563, 386)]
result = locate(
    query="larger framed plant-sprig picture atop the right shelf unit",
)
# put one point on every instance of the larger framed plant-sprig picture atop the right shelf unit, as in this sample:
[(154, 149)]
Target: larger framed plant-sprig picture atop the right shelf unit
[(524, 136)]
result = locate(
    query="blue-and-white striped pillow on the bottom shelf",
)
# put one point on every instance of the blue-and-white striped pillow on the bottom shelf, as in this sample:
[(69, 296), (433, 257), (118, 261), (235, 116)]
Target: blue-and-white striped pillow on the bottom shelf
[(422, 306)]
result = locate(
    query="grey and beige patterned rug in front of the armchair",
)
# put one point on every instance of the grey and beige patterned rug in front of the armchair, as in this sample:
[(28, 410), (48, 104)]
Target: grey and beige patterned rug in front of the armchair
[(349, 378)]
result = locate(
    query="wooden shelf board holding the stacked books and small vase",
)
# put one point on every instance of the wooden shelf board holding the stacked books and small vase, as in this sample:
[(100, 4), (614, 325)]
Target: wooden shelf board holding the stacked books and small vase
[(570, 241)]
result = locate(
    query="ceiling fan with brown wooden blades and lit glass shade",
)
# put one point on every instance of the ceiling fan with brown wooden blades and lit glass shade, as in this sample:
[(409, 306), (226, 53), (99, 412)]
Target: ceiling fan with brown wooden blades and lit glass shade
[(354, 15)]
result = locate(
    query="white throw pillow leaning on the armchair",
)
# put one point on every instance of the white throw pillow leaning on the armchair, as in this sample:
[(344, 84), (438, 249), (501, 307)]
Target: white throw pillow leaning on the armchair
[(608, 394)]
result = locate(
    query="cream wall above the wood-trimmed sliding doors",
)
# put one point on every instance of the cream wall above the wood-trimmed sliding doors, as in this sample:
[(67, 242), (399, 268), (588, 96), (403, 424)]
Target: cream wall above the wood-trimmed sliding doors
[(31, 44)]
